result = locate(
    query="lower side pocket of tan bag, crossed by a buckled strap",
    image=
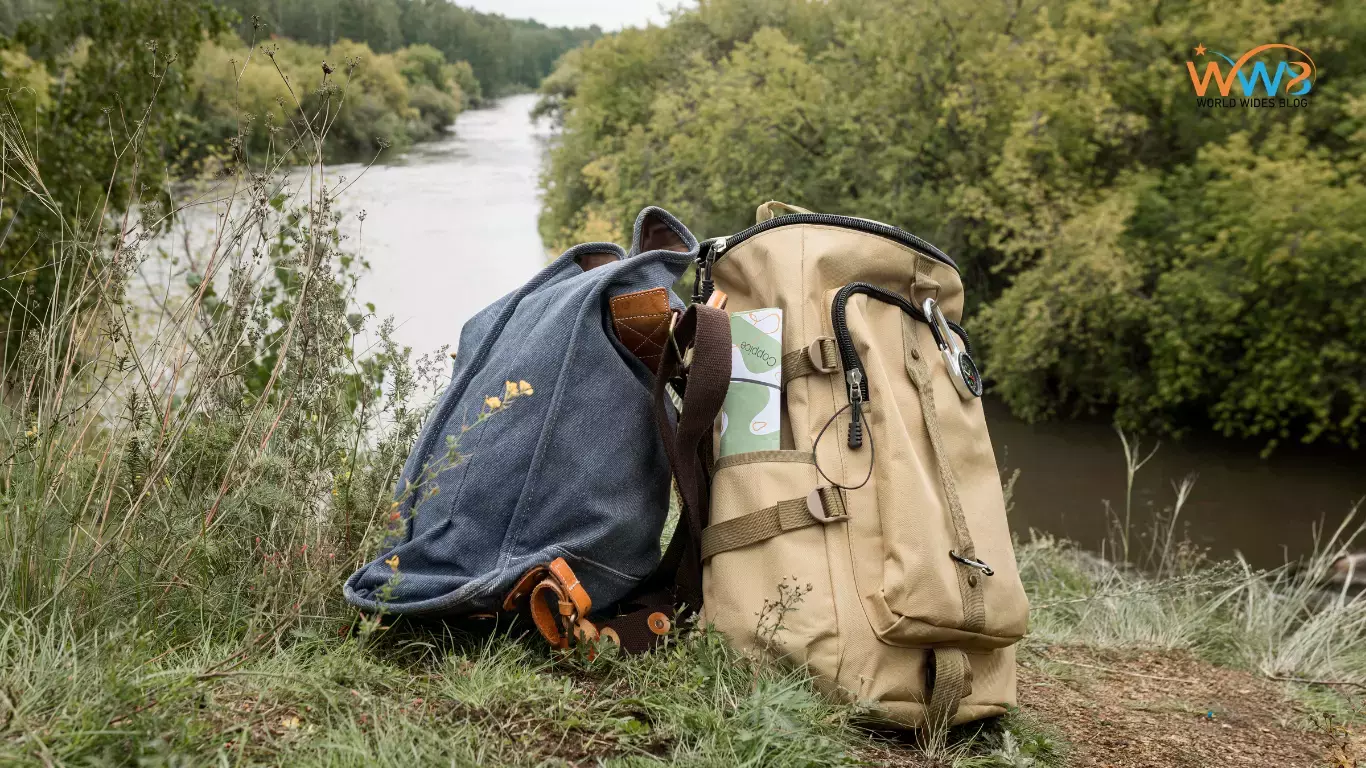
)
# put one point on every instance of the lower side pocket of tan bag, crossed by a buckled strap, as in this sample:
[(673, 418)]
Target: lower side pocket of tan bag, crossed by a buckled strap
[(772, 595)]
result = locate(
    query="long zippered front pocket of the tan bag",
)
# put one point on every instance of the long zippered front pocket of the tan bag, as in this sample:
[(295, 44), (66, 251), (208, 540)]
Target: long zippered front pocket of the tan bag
[(924, 502)]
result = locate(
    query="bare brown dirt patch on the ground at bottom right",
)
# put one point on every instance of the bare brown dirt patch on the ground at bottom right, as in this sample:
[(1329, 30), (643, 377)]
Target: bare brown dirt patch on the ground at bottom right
[(1166, 710)]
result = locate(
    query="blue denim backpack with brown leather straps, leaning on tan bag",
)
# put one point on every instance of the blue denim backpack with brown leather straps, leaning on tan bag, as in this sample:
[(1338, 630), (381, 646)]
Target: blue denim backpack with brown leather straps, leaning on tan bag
[(540, 484)]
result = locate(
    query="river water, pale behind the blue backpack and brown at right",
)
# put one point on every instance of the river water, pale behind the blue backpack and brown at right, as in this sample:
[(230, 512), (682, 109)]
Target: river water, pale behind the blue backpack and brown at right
[(451, 226)]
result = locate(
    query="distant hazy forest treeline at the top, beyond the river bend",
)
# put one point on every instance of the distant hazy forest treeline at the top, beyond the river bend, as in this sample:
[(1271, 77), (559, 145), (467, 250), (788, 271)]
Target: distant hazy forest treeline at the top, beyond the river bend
[(505, 54)]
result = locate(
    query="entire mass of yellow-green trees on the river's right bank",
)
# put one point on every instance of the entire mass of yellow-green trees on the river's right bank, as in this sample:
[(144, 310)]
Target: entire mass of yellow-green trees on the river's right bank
[(1130, 252)]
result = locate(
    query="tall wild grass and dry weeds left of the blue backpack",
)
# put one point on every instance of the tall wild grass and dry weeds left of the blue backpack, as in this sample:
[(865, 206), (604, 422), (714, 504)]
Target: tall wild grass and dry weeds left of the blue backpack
[(215, 469)]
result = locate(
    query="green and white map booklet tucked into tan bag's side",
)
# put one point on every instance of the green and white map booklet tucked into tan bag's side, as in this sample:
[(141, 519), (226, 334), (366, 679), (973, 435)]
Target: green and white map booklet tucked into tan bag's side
[(753, 409)]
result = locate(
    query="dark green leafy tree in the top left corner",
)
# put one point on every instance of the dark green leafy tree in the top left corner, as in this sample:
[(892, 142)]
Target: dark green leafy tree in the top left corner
[(99, 99)]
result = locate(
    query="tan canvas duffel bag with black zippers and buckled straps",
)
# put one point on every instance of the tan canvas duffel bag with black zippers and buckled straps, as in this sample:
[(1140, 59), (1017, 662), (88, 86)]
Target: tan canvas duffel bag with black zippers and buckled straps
[(872, 549)]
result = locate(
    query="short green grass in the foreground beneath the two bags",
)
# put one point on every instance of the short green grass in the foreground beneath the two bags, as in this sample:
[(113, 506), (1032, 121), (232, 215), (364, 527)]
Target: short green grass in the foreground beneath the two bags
[(115, 698)]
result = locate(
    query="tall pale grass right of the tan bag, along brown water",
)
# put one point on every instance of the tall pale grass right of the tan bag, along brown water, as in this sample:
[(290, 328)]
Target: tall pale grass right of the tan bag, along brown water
[(1286, 624)]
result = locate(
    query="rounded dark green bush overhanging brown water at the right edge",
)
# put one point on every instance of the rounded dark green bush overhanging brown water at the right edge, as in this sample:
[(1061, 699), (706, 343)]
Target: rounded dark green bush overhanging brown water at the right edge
[(1237, 288)]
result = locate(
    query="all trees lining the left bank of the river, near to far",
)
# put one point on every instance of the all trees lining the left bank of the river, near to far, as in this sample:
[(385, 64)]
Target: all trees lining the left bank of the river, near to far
[(122, 98)]
